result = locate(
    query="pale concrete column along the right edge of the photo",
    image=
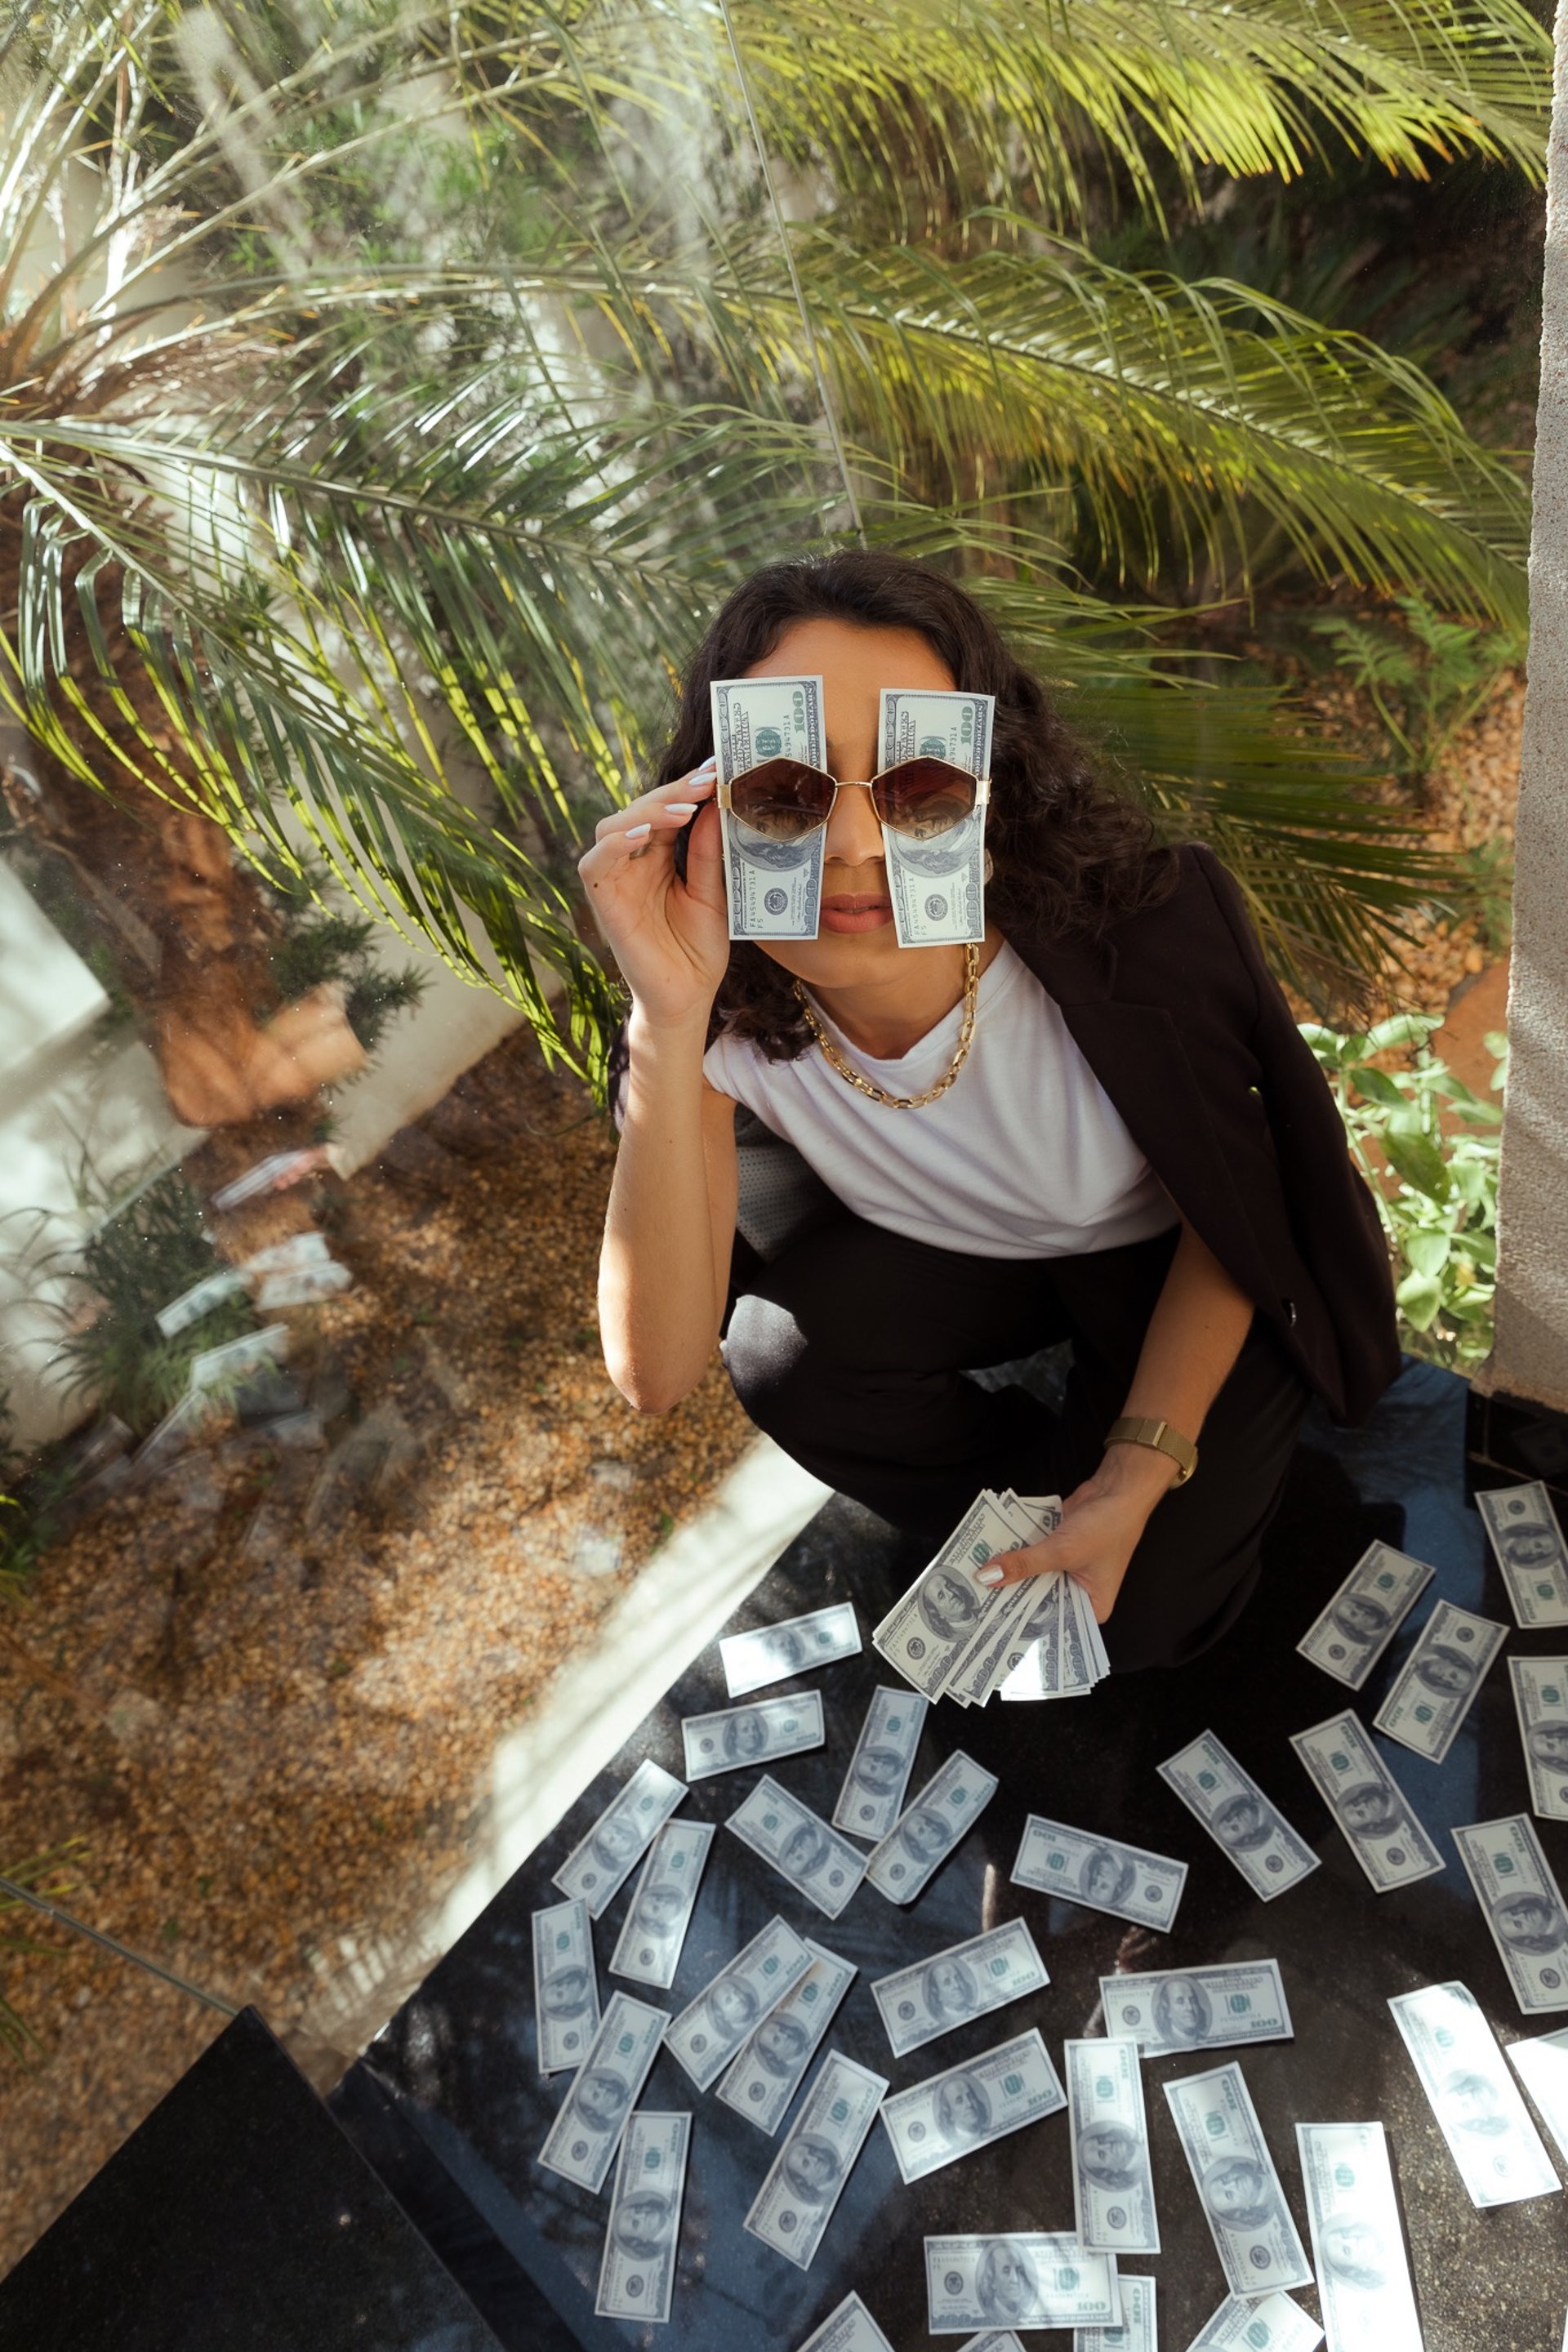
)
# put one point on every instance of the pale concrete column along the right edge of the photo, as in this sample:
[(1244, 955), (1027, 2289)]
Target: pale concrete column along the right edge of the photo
[(1532, 1351)]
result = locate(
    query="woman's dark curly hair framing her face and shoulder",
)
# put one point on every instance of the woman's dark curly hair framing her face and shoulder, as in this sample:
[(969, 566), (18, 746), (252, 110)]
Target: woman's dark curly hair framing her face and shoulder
[(1071, 855)]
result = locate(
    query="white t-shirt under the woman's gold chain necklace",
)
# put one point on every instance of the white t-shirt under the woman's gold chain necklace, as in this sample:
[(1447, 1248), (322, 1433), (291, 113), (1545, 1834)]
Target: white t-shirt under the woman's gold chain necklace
[(1021, 1158)]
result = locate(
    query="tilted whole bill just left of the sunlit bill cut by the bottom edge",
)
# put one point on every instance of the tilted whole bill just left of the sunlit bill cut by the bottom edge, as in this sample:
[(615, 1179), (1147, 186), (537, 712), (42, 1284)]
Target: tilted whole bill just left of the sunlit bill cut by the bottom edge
[(1238, 2184)]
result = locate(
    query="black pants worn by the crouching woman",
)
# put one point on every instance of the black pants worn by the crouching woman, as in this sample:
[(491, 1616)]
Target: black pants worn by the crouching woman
[(852, 1347)]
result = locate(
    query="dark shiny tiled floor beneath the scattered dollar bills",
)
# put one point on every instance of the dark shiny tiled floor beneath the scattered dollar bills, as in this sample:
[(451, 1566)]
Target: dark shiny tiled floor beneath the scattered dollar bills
[(455, 2073)]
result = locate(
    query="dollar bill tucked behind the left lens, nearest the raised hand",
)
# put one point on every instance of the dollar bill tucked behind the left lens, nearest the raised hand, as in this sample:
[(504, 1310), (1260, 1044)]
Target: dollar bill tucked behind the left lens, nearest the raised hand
[(775, 890)]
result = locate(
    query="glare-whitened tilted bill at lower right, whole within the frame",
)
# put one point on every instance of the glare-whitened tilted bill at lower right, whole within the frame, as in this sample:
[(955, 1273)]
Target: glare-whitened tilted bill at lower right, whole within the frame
[(1473, 2097)]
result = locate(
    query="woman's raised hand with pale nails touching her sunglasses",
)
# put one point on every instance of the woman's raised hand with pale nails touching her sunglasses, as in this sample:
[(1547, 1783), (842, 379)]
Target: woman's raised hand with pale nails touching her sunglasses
[(669, 937)]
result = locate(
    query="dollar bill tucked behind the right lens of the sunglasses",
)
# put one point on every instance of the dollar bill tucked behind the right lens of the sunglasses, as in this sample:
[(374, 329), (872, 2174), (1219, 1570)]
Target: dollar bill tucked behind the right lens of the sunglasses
[(939, 886)]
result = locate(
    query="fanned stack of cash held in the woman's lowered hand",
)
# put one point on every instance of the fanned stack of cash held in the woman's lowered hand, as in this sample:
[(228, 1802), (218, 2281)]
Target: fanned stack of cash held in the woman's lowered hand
[(956, 1638)]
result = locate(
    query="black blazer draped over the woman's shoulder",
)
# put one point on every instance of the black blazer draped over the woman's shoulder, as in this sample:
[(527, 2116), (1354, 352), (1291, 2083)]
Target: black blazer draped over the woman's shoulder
[(1191, 1036)]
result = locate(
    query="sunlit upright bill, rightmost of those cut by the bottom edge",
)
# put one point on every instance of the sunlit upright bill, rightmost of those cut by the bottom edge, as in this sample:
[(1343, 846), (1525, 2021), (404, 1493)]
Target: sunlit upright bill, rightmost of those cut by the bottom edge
[(1358, 2245)]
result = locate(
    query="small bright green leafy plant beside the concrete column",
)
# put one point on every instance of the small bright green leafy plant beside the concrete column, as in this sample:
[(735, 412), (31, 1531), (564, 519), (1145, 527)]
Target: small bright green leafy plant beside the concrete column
[(1428, 1149)]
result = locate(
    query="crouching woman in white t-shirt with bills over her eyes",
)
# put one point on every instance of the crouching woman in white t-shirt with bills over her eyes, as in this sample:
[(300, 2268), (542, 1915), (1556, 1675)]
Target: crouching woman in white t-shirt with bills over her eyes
[(1134, 1151)]
